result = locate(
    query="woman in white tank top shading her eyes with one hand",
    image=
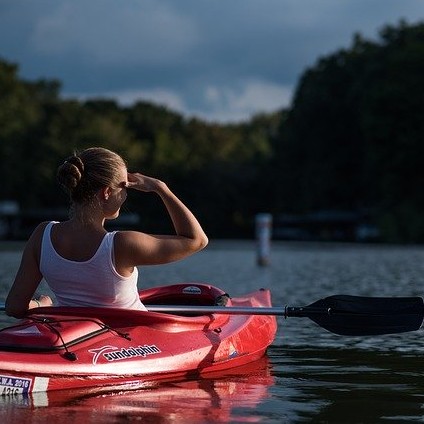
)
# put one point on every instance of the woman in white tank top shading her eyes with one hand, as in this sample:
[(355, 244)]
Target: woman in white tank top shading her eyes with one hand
[(85, 265)]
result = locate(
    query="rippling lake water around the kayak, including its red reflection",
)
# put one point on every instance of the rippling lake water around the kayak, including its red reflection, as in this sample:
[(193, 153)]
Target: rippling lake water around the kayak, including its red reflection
[(308, 375)]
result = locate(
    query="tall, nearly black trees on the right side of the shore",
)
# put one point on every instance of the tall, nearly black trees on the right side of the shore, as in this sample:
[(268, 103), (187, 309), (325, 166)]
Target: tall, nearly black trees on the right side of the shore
[(355, 132)]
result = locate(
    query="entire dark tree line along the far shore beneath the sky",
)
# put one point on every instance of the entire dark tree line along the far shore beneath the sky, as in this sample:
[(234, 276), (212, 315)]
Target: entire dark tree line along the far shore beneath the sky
[(352, 140)]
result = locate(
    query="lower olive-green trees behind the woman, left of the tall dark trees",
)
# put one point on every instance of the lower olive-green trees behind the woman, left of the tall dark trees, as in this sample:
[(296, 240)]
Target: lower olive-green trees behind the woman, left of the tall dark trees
[(211, 166)]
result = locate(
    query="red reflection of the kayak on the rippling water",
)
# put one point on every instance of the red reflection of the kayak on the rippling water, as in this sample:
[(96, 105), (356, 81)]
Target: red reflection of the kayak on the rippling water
[(219, 398)]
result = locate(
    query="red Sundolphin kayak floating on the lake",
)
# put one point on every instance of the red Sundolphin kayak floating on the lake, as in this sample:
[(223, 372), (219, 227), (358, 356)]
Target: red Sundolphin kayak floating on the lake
[(65, 348)]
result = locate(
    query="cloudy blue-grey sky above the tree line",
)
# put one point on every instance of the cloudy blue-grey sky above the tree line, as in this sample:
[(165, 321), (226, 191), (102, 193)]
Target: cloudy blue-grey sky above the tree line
[(219, 60)]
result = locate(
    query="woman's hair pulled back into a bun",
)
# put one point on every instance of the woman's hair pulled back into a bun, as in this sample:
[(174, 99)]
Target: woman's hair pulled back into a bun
[(84, 174)]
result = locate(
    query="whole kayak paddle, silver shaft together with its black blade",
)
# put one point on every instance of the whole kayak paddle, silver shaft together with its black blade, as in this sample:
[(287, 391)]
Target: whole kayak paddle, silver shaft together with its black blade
[(340, 314)]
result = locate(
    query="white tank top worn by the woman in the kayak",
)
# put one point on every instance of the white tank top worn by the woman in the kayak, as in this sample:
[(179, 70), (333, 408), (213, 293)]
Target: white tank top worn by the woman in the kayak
[(88, 283)]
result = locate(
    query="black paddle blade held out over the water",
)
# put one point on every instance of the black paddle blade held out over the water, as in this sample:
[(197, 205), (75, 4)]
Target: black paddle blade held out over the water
[(361, 316)]
